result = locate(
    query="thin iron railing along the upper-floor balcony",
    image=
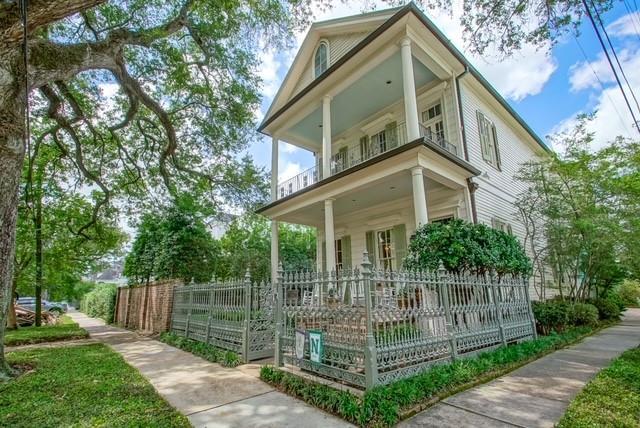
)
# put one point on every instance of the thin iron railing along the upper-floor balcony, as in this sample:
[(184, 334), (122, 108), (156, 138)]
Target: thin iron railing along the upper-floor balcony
[(357, 152)]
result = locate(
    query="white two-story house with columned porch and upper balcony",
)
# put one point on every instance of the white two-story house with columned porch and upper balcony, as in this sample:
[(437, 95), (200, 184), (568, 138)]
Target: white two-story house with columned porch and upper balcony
[(404, 130)]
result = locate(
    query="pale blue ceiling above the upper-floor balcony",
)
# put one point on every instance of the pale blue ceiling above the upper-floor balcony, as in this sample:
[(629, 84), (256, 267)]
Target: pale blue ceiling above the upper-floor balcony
[(366, 96)]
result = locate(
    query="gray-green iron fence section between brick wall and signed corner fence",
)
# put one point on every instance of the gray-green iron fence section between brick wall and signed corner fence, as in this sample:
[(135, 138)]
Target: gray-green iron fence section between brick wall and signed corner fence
[(235, 315)]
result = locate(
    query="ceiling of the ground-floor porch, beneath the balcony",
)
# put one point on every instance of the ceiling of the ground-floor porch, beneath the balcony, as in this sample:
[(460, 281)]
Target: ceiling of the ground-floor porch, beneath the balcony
[(384, 191)]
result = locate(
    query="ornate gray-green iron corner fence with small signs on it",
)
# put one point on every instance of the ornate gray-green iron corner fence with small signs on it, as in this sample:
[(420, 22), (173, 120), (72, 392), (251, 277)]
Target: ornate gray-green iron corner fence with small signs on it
[(372, 327)]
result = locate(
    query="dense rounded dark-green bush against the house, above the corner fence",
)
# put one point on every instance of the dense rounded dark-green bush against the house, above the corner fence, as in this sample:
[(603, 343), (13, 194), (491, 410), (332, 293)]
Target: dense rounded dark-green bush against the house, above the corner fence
[(461, 246)]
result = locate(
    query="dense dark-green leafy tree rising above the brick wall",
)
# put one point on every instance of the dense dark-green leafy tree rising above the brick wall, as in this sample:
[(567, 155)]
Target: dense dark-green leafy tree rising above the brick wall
[(173, 243)]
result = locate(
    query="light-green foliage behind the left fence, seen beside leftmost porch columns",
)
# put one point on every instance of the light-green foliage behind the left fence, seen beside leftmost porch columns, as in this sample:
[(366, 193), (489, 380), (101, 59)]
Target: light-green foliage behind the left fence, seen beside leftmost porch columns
[(247, 244)]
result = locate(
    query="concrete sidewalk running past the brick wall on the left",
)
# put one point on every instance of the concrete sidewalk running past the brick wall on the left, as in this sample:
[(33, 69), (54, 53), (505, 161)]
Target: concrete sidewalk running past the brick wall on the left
[(208, 394)]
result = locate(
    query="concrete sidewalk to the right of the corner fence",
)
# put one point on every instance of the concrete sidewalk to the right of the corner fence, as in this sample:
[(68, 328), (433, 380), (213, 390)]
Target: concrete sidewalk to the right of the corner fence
[(538, 394)]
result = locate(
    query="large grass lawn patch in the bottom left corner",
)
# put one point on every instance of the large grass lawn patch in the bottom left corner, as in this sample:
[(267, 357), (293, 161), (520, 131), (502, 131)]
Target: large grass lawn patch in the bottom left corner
[(81, 386)]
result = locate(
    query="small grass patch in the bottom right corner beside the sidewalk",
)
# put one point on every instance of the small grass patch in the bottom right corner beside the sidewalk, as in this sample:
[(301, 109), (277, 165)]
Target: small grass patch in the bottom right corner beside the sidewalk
[(612, 398)]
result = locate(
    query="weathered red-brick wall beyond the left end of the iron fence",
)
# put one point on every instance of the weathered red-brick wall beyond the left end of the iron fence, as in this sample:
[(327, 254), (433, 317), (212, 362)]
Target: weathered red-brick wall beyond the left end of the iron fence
[(145, 308)]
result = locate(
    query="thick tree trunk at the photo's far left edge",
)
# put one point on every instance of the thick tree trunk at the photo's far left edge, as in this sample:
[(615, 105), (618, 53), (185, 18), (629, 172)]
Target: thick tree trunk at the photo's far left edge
[(12, 107)]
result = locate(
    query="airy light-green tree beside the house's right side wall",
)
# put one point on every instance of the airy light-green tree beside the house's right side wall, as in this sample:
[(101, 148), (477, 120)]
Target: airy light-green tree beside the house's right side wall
[(581, 211)]
